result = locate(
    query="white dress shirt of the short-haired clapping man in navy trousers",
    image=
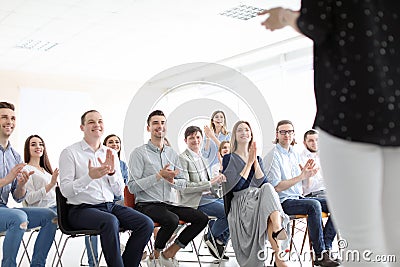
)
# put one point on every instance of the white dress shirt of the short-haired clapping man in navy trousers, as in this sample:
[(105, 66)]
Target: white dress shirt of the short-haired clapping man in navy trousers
[(75, 182)]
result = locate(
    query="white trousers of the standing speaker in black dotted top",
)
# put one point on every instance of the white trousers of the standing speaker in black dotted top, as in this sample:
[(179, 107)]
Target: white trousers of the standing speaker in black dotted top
[(363, 188)]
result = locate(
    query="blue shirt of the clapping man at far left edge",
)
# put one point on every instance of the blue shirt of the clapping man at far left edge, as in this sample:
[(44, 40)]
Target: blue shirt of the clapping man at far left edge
[(9, 158)]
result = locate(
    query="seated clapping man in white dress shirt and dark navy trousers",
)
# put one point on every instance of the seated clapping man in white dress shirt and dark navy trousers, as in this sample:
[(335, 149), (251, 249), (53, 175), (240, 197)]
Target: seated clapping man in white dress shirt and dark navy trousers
[(90, 176)]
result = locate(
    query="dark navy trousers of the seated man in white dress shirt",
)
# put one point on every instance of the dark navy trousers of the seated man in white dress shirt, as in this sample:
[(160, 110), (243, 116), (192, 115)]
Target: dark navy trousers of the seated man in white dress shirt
[(108, 218)]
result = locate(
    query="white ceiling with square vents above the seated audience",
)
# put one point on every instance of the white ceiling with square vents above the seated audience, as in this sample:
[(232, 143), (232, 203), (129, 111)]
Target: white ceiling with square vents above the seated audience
[(127, 39)]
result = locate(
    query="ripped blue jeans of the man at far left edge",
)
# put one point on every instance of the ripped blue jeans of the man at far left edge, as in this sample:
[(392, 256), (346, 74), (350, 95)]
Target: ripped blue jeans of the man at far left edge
[(11, 220)]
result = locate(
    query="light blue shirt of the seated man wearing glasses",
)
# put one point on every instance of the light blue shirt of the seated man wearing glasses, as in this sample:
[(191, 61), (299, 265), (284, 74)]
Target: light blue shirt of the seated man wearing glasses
[(281, 165)]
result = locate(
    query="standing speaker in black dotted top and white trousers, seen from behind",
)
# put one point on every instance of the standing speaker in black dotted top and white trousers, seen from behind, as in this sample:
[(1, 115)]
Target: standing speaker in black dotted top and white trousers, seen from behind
[(357, 90)]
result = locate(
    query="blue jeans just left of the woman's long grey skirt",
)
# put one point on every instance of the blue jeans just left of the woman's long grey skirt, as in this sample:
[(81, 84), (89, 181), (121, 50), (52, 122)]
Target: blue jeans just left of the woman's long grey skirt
[(213, 206)]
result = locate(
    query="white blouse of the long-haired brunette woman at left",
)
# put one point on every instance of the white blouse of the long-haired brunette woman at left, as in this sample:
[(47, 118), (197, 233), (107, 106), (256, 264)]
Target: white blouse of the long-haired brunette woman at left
[(36, 195)]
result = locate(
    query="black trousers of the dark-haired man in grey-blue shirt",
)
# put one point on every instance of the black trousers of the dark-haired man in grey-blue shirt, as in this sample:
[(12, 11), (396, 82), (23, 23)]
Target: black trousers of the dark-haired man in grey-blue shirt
[(168, 217)]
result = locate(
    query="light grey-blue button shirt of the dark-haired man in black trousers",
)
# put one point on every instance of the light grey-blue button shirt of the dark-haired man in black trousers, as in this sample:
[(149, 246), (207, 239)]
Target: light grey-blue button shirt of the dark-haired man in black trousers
[(144, 164)]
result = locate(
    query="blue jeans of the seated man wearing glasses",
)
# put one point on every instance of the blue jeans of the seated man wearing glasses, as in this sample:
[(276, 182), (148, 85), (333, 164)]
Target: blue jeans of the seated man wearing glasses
[(321, 239)]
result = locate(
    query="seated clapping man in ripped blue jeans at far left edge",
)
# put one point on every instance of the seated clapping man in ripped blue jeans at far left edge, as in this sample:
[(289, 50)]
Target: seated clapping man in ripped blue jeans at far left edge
[(16, 221)]
